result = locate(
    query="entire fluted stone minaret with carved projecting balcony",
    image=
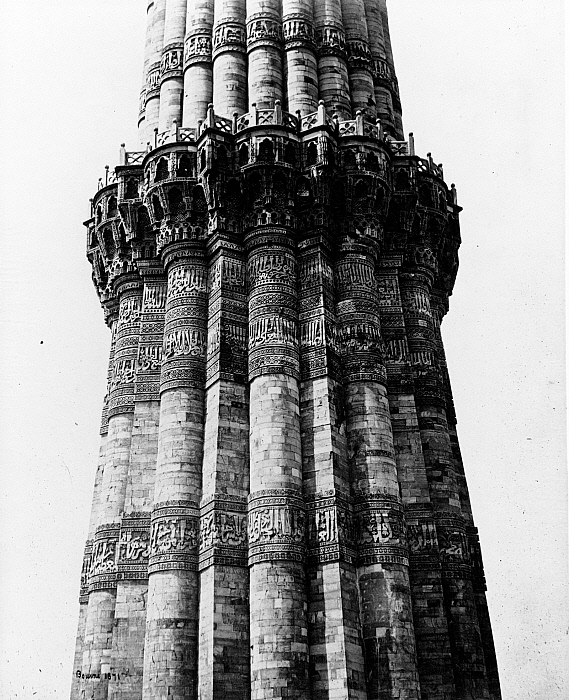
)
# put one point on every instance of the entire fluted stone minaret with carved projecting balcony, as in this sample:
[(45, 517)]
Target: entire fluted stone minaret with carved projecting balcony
[(280, 508)]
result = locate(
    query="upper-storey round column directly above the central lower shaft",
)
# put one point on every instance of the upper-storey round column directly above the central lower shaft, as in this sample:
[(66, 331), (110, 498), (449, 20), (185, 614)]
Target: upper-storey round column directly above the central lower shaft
[(264, 53)]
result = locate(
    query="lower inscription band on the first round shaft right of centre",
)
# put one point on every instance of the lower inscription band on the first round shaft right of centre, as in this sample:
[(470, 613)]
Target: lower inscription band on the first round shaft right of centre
[(380, 530)]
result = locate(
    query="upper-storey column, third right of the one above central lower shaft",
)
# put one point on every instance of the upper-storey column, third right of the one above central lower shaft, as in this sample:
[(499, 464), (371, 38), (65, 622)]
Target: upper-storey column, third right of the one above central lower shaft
[(359, 57)]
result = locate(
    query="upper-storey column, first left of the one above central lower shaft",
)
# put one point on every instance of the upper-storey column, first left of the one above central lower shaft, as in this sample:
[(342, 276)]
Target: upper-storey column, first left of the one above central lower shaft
[(230, 57)]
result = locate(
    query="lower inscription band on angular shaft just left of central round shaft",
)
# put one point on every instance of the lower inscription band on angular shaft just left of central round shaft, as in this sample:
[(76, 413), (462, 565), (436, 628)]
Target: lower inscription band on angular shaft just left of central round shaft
[(223, 532)]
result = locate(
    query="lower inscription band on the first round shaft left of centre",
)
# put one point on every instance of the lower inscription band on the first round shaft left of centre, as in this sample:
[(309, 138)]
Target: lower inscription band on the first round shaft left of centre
[(174, 537)]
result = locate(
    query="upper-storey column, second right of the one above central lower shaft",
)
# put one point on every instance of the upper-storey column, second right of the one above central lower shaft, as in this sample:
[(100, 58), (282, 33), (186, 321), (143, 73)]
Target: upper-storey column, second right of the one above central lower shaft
[(333, 83)]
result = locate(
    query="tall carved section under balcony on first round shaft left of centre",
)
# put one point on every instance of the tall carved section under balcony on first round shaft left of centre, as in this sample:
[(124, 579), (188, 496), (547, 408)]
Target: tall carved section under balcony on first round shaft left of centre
[(185, 331)]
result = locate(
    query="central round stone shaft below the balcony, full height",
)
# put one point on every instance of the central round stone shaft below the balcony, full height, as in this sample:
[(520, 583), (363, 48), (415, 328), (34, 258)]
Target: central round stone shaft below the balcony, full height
[(277, 520)]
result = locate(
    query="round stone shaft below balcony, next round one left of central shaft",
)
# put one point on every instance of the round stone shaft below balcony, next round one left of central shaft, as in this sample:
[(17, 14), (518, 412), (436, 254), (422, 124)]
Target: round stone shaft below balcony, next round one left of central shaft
[(171, 646)]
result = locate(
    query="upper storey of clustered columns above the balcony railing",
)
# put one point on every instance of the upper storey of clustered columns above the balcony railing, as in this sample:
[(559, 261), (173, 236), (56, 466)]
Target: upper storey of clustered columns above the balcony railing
[(245, 54)]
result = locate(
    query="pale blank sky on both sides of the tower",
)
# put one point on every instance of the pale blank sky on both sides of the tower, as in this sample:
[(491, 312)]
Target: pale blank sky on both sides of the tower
[(482, 89)]
